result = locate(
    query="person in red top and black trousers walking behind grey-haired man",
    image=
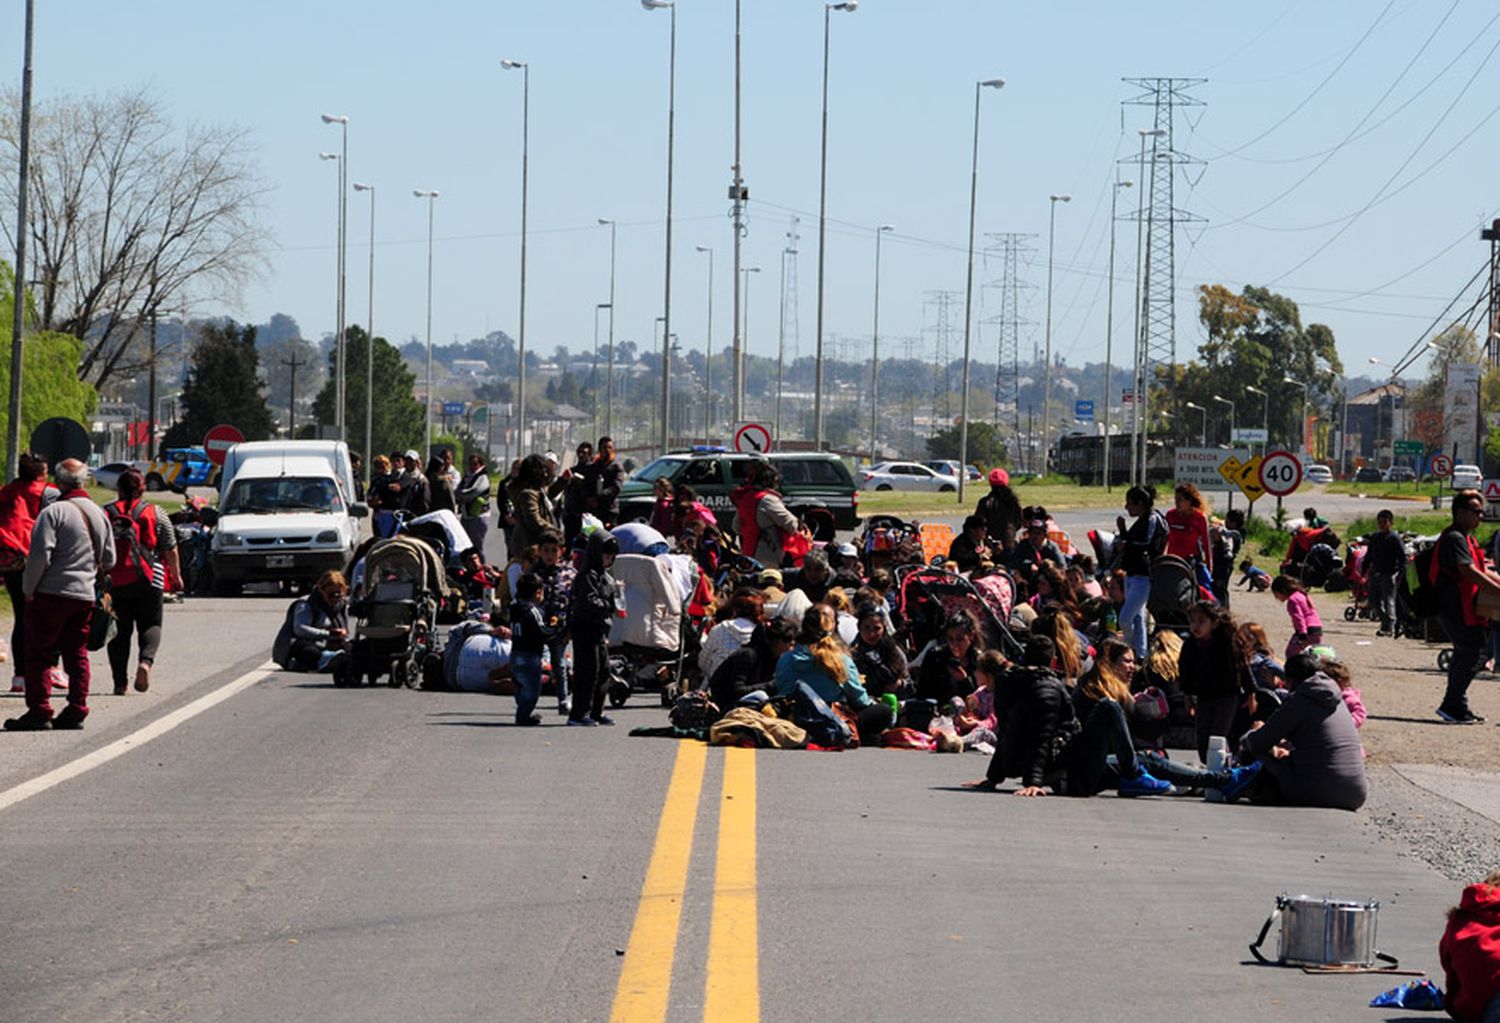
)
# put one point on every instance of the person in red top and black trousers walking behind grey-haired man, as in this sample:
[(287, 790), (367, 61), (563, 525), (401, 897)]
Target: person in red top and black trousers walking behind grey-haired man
[(146, 560)]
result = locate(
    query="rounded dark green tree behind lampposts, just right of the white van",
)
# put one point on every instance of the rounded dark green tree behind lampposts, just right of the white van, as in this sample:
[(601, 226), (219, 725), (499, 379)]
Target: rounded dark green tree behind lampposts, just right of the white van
[(400, 418)]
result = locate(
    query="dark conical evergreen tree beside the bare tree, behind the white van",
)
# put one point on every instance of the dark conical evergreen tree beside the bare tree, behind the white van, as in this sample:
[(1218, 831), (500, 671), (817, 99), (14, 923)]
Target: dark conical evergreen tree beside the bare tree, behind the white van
[(224, 386)]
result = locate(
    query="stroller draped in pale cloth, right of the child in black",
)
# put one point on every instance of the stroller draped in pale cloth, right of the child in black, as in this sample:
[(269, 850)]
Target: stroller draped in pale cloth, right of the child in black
[(649, 647)]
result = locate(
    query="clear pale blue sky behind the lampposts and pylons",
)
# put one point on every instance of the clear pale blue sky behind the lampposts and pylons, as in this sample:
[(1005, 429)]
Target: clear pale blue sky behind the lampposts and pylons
[(1300, 133)]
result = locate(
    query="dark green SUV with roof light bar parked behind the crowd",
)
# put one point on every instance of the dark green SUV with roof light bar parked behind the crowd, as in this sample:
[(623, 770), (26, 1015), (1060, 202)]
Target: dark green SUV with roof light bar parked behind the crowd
[(817, 487)]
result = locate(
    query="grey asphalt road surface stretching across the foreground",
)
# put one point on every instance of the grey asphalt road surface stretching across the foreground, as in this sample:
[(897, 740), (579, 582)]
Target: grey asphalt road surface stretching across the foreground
[(304, 853)]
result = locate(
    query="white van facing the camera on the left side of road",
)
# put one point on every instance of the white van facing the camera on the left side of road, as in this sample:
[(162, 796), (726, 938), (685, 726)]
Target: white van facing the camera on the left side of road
[(283, 518)]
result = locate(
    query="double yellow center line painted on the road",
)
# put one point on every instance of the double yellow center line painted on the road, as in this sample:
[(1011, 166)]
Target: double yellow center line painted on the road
[(734, 952)]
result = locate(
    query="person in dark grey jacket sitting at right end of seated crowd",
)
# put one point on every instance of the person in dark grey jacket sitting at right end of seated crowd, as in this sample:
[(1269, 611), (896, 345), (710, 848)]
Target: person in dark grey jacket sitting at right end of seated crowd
[(1310, 748)]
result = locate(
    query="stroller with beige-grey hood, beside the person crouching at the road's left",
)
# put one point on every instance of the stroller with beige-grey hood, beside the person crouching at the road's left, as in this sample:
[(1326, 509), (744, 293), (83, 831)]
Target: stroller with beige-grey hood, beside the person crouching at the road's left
[(397, 620)]
